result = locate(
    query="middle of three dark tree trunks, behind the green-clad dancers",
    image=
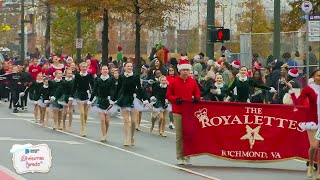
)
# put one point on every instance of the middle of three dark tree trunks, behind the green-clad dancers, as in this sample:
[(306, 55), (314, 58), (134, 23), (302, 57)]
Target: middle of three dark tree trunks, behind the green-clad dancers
[(105, 38)]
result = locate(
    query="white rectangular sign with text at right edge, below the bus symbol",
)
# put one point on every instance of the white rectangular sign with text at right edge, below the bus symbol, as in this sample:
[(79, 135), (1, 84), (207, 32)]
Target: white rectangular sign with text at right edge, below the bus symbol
[(314, 27)]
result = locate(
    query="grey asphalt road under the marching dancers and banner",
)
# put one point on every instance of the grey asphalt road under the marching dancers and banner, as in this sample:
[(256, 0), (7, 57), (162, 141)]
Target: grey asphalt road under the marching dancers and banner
[(153, 157)]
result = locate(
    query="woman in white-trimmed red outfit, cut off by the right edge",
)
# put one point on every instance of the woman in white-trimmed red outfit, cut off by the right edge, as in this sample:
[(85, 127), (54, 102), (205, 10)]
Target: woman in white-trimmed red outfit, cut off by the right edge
[(312, 94)]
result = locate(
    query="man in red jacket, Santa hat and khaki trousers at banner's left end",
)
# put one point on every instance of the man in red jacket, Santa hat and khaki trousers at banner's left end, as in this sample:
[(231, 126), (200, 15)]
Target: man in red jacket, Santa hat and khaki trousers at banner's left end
[(182, 88)]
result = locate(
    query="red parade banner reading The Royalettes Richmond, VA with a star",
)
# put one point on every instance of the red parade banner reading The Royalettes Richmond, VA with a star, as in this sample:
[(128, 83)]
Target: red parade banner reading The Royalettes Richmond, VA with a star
[(244, 131)]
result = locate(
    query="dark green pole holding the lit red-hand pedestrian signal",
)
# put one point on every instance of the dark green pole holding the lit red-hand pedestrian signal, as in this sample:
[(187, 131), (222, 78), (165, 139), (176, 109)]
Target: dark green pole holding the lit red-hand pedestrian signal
[(210, 26)]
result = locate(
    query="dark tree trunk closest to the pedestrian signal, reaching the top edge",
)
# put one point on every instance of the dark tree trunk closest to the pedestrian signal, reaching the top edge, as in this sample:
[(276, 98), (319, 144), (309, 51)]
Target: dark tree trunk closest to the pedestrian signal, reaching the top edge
[(138, 39)]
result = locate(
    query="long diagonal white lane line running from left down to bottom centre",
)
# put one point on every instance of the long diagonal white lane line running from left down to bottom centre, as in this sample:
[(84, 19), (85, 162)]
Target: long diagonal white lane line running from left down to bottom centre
[(132, 153)]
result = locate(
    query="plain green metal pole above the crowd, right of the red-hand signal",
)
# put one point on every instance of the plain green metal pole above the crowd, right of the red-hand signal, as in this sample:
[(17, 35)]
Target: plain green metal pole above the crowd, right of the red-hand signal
[(276, 34)]
